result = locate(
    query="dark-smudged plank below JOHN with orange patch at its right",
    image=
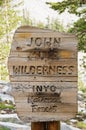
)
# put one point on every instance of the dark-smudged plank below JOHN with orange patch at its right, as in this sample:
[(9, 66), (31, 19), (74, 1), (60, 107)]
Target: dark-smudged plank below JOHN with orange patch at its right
[(60, 54)]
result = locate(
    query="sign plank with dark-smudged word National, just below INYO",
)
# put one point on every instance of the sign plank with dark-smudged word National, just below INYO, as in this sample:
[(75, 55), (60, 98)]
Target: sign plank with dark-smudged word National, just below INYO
[(68, 96)]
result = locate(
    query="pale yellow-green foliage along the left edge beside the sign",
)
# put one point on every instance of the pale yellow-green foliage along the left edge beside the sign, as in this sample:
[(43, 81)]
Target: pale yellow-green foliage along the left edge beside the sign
[(9, 21)]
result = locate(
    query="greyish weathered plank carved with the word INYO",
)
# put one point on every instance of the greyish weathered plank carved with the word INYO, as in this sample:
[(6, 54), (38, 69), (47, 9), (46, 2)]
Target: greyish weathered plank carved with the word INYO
[(65, 89)]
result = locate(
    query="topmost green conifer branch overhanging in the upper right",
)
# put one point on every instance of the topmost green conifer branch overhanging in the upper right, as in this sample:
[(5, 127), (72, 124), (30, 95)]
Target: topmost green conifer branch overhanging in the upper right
[(71, 5)]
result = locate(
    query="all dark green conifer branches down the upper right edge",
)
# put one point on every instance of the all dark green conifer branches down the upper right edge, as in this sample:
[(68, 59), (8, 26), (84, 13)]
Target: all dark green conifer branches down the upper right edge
[(79, 27)]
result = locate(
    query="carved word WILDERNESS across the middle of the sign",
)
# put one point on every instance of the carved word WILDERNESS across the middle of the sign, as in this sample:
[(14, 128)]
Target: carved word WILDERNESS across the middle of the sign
[(44, 70)]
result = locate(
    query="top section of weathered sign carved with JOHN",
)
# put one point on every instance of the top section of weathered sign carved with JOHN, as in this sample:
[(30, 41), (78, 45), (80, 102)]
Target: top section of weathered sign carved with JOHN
[(35, 38)]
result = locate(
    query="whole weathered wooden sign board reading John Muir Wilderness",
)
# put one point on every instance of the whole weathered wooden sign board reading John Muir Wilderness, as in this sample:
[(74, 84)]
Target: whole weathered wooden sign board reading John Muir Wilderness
[(43, 72)]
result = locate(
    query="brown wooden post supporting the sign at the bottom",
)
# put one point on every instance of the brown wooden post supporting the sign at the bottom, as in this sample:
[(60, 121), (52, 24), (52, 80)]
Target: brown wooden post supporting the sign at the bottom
[(55, 125)]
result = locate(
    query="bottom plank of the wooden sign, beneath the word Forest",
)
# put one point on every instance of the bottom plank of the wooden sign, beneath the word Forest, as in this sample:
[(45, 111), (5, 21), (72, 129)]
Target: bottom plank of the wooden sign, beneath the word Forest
[(64, 112)]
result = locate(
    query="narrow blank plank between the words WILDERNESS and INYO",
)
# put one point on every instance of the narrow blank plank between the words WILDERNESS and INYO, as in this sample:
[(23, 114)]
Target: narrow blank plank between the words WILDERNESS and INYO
[(37, 78)]
